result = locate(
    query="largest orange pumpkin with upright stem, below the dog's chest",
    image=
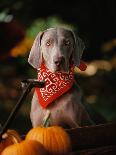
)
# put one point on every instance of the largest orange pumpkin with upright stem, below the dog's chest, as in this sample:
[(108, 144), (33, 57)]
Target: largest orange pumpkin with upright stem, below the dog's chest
[(55, 139)]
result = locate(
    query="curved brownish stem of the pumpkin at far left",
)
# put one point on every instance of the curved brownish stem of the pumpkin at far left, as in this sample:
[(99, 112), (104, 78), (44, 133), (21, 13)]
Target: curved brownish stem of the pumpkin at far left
[(13, 135)]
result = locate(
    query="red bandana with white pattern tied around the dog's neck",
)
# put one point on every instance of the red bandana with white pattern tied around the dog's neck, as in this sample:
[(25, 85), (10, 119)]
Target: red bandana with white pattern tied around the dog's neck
[(56, 84)]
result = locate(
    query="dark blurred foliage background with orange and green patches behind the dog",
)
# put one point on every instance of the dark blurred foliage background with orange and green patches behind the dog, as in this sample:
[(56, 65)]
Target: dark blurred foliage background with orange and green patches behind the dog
[(94, 21)]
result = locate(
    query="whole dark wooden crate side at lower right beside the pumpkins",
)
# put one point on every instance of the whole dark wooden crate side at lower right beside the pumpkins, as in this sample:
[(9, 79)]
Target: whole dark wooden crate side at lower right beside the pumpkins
[(97, 139)]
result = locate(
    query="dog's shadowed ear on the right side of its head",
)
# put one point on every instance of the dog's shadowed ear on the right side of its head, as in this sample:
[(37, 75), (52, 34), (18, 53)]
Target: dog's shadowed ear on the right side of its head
[(78, 50)]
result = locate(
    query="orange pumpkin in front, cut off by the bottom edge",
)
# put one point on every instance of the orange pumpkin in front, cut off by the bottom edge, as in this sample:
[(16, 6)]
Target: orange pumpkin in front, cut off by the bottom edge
[(25, 147)]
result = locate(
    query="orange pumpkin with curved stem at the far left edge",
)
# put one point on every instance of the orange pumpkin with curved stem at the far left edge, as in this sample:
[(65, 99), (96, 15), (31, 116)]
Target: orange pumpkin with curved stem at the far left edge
[(8, 139)]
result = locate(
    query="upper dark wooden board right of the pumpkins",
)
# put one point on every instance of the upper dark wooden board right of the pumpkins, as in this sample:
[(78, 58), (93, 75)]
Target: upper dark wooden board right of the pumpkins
[(93, 136)]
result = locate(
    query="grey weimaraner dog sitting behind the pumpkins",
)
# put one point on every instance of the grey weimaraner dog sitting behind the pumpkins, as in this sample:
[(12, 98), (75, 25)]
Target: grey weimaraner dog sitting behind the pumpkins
[(57, 48)]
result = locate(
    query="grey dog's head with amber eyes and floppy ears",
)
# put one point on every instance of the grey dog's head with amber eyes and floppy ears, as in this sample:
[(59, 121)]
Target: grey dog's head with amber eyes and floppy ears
[(57, 48)]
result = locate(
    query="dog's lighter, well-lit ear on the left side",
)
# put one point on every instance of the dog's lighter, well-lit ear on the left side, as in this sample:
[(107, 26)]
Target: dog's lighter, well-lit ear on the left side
[(35, 56)]
